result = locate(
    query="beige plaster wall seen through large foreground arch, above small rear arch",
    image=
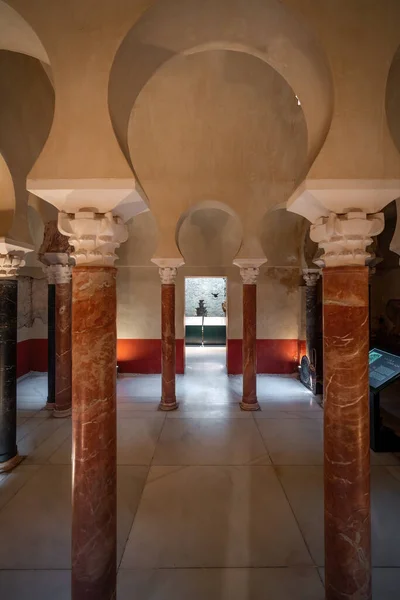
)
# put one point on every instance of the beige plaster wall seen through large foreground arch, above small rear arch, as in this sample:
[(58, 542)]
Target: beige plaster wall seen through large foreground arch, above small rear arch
[(249, 163)]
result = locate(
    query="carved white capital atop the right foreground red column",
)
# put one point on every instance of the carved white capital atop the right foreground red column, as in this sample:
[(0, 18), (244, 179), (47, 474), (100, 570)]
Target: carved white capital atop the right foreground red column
[(345, 238)]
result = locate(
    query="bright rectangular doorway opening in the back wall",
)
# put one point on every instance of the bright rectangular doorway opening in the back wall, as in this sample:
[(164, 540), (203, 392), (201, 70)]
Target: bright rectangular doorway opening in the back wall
[(205, 324)]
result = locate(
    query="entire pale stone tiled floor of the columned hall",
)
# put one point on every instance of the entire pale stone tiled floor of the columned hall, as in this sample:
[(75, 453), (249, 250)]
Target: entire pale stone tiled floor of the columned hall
[(212, 502)]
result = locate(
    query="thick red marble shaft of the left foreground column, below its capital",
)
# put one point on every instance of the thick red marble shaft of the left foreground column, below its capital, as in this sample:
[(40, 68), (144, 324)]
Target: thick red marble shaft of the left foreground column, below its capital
[(94, 433)]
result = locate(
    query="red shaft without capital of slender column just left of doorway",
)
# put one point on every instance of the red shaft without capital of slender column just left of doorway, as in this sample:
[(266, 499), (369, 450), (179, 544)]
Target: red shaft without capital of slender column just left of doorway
[(168, 347)]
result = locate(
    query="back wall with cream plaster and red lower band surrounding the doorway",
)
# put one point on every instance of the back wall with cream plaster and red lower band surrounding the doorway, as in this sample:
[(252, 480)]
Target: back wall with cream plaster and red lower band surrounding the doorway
[(139, 316)]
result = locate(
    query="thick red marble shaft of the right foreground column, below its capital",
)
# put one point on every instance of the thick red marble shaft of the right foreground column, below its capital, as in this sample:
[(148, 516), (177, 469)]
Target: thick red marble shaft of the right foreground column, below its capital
[(346, 434)]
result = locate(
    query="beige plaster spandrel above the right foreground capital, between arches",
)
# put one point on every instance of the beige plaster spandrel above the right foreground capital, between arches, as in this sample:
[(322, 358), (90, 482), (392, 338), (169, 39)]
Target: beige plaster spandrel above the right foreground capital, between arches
[(360, 39)]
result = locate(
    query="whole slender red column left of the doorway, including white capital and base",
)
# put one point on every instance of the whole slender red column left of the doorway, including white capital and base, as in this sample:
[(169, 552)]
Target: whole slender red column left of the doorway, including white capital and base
[(168, 271)]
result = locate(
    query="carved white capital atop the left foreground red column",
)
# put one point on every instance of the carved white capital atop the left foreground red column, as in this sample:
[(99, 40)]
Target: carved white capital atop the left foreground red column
[(94, 236)]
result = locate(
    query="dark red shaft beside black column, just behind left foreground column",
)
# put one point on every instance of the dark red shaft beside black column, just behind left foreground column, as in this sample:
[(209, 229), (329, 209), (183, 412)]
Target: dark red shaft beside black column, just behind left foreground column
[(63, 367)]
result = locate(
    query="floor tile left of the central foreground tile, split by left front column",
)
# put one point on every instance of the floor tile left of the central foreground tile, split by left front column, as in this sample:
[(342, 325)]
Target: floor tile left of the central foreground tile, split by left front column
[(35, 526)]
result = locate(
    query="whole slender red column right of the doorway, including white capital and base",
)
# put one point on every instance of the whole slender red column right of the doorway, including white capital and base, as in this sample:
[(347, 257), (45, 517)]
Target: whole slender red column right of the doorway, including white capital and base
[(249, 273)]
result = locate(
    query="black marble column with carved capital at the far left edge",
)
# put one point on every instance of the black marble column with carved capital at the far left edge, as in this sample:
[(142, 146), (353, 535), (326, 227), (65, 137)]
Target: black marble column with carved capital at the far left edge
[(9, 457)]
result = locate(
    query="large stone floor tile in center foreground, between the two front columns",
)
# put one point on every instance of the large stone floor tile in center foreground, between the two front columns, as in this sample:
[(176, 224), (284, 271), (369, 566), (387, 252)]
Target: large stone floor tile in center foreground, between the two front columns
[(214, 517)]
